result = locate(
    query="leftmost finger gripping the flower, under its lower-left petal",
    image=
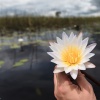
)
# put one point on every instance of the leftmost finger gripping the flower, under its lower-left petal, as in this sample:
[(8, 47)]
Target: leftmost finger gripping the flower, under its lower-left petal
[(62, 81)]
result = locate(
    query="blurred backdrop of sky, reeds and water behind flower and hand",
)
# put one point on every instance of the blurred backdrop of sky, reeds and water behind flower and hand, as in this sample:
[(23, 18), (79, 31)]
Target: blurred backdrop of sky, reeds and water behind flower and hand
[(26, 28)]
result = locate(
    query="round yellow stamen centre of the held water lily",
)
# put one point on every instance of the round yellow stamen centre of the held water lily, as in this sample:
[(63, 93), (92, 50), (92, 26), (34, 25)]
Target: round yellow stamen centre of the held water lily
[(72, 55)]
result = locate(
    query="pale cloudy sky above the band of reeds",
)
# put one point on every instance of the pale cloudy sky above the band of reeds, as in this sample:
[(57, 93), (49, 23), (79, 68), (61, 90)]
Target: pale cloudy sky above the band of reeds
[(49, 7)]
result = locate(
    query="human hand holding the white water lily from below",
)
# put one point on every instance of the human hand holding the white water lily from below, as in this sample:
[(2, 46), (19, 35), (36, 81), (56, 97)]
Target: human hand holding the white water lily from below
[(64, 89)]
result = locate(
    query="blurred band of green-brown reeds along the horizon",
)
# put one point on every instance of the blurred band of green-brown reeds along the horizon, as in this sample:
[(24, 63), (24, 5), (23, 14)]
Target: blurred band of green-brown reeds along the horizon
[(29, 23)]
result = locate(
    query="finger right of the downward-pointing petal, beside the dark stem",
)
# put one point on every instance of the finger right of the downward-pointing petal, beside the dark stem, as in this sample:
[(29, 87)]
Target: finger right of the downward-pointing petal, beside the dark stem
[(82, 82)]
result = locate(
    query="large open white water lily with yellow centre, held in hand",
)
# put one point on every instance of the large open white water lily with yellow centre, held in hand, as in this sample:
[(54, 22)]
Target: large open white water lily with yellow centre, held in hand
[(71, 54)]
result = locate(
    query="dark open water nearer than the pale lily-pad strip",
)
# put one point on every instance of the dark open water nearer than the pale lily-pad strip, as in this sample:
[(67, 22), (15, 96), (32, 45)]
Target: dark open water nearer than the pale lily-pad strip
[(33, 80)]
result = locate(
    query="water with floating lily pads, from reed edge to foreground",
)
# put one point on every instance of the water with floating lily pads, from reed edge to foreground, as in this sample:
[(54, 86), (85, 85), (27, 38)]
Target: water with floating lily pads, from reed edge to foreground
[(28, 74)]
